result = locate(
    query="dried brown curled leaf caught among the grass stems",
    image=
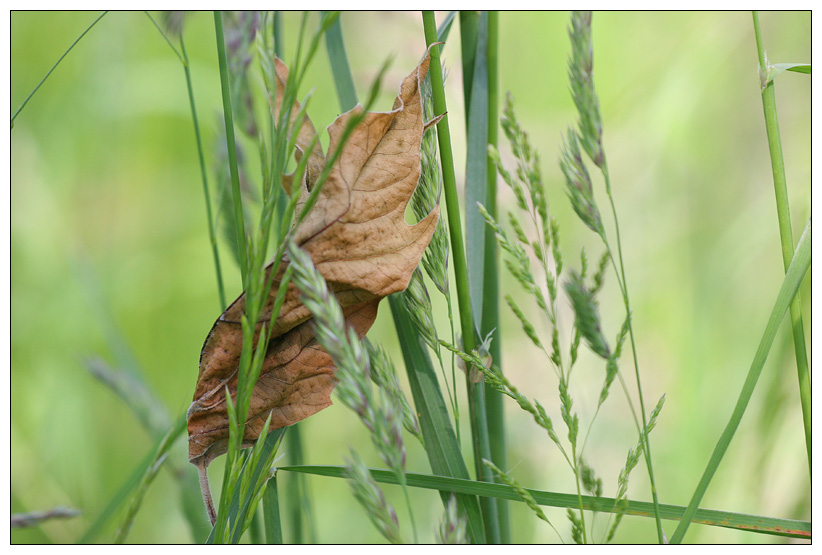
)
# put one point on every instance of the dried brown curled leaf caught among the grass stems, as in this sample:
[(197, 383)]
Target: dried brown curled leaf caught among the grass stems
[(357, 237)]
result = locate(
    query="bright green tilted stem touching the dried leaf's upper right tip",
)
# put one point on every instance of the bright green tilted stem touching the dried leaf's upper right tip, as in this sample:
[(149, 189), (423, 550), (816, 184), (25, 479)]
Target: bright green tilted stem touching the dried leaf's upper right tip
[(476, 395)]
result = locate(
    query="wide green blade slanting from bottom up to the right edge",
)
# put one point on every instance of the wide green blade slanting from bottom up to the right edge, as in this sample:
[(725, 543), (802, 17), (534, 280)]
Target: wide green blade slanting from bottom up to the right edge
[(790, 285)]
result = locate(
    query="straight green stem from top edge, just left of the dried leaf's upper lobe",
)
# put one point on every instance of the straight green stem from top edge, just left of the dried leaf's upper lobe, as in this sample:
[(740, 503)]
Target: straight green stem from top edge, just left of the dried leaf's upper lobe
[(232, 149)]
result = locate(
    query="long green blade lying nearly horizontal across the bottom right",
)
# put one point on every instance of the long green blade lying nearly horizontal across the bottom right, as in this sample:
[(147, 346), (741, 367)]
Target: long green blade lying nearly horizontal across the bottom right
[(737, 521)]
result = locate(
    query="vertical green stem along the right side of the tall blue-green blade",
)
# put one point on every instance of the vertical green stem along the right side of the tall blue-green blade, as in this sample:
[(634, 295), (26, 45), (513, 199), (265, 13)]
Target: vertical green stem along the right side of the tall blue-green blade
[(490, 313)]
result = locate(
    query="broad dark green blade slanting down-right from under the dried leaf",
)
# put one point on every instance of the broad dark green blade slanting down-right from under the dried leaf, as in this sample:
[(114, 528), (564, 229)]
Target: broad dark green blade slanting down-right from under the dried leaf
[(441, 445)]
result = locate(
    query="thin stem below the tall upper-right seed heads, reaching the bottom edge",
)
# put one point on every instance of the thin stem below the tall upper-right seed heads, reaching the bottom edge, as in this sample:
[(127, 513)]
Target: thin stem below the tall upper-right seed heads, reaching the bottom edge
[(623, 284)]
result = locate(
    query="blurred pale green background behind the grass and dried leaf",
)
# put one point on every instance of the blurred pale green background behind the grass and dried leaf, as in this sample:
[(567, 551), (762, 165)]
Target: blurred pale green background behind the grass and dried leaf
[(109, 236)]
